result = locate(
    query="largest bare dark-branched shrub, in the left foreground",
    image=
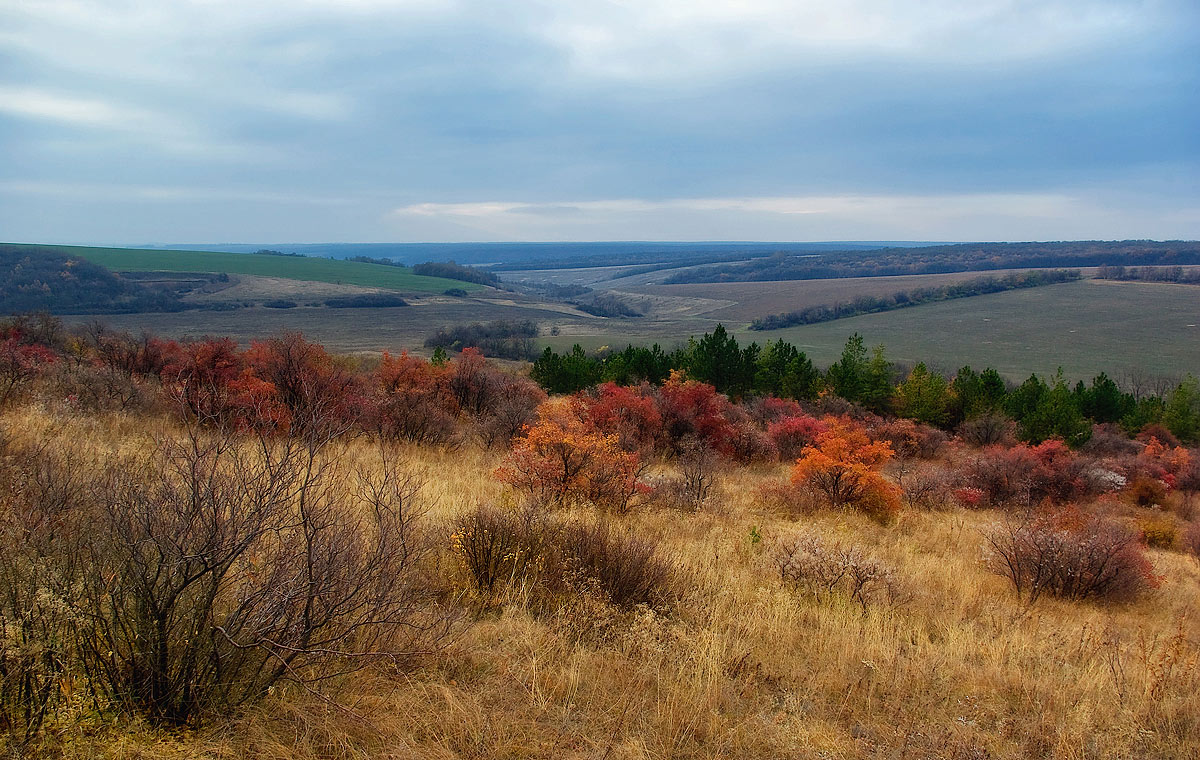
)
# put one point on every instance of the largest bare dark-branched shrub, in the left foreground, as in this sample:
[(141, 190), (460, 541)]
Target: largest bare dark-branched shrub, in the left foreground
[(218, 572)]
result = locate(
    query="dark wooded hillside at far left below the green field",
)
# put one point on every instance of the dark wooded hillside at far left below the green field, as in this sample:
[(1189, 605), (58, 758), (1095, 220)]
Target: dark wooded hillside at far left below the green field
[(69, 285)]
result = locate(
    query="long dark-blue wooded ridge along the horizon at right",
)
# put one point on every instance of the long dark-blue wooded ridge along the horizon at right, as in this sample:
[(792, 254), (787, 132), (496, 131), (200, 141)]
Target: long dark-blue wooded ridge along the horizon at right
[(950, 259)]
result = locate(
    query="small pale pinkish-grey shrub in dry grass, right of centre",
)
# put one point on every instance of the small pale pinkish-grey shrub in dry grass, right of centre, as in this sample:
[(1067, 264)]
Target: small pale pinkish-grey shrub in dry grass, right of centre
[(826, 568)]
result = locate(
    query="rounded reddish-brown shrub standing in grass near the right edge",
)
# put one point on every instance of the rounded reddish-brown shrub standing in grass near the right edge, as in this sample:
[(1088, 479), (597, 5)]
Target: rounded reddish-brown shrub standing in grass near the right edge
[(1070, 556)]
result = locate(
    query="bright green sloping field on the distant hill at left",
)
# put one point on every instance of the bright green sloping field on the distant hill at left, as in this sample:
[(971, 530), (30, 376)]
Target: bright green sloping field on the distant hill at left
[(290, 267)]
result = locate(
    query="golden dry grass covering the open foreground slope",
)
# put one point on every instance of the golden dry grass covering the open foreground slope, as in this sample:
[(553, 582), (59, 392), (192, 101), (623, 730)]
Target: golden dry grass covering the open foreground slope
[(745, 666)]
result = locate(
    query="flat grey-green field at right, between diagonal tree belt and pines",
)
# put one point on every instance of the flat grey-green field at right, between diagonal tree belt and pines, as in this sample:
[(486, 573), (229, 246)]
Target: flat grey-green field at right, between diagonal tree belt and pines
[(1084, 327)]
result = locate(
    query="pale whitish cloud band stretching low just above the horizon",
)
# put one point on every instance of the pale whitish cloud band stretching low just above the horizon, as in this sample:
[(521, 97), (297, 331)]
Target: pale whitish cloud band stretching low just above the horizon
[(970, 217)]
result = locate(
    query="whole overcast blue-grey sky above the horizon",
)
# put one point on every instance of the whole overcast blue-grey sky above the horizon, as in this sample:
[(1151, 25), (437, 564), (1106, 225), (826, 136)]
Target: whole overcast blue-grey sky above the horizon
[(173, 122)]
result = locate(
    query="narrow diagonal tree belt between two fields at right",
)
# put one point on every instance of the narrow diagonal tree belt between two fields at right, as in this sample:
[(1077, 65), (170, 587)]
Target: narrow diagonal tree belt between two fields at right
[(903, 300)]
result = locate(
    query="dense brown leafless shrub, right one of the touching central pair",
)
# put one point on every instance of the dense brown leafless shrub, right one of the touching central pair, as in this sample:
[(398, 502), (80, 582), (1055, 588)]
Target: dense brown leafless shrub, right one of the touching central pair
[(628, 571)]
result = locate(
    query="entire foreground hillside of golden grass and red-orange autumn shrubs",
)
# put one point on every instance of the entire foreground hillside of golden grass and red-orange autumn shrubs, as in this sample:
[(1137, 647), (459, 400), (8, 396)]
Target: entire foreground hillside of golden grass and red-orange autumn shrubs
[(211, 550)]
